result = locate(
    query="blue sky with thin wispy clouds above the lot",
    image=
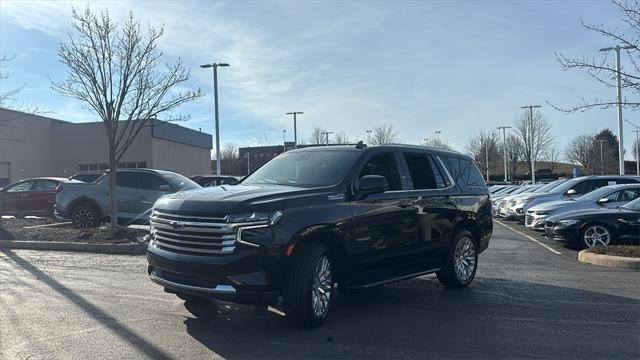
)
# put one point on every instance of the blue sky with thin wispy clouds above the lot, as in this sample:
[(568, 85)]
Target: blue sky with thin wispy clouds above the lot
[(457, 67)]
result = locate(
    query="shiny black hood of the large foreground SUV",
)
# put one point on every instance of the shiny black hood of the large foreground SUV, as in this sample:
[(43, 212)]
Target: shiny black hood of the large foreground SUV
[(226, 199)]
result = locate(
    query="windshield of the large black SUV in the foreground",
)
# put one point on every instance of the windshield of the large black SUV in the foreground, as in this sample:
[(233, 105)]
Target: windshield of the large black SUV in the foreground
[(304, 168)]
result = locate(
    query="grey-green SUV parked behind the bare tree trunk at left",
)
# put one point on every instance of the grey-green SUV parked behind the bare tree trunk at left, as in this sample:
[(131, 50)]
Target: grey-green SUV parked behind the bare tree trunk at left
[(87, 204)]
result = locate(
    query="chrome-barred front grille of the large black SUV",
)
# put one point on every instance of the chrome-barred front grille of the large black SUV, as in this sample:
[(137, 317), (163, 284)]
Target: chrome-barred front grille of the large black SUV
[(192, 234)]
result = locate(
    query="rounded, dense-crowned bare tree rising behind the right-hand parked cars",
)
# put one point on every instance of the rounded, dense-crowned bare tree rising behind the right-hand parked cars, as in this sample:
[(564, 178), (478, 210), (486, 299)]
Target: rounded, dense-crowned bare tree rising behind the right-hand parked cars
[(534, 134)]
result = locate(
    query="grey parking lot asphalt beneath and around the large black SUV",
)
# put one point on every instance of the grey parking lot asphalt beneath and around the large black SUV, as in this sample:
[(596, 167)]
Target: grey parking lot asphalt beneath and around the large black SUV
[(526, 302)]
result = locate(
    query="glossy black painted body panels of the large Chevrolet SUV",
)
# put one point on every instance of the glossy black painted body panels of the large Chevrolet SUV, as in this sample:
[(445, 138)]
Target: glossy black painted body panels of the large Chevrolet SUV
[(378, 238)]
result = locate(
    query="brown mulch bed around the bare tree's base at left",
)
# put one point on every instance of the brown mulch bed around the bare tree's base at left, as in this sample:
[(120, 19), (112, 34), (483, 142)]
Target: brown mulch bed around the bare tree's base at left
[(13, 229)]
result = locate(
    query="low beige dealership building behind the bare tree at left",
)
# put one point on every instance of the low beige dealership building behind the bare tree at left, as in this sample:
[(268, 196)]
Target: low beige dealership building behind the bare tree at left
[(33, 145)]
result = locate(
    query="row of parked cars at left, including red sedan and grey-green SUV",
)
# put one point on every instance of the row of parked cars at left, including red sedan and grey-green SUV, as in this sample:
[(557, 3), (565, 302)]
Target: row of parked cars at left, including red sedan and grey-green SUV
[(84, 197)]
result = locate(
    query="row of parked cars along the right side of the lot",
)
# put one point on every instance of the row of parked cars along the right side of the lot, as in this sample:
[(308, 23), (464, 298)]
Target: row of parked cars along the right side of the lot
[(581, 212)]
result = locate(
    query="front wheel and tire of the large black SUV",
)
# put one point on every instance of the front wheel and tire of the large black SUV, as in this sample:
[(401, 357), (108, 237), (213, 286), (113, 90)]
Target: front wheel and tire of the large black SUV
[(308, 292)]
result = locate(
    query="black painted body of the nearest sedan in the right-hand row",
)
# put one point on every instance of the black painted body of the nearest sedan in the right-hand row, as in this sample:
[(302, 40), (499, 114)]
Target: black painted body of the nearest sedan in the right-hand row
[(623, 223)]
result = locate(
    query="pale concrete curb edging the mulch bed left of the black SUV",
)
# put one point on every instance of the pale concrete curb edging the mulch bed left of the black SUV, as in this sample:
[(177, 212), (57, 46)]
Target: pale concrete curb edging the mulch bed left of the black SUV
[(114, 249)]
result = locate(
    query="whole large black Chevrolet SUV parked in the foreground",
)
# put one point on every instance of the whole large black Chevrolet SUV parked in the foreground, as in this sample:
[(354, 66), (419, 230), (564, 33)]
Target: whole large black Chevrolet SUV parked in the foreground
[(309, 218)]
